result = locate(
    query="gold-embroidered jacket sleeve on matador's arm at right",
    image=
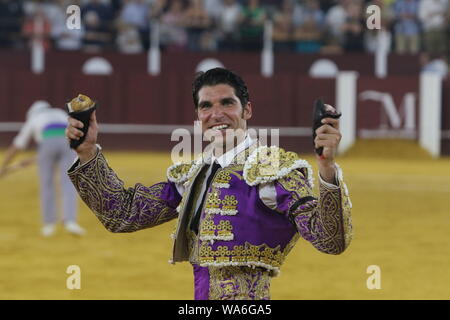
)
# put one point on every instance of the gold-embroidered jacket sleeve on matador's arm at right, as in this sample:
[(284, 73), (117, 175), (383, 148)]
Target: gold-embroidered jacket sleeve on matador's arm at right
[(324, 222)]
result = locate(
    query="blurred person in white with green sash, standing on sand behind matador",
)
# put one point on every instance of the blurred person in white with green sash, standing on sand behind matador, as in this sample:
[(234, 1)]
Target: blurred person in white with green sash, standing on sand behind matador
[(46, 125)]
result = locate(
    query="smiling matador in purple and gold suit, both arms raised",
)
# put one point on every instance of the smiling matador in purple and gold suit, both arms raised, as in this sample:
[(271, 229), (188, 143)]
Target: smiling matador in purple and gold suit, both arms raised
[(241, 206)]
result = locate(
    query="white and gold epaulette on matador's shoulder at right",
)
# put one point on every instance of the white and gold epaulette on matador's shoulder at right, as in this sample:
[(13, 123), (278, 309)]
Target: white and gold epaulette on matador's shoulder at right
[(266, 164)]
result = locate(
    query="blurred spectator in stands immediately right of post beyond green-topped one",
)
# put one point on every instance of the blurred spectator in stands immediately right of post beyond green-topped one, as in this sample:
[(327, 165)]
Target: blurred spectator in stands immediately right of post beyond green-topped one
[(283, 27)]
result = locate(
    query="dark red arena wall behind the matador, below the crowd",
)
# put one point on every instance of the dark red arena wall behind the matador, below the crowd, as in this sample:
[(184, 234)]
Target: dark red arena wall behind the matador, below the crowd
[(131, 96)]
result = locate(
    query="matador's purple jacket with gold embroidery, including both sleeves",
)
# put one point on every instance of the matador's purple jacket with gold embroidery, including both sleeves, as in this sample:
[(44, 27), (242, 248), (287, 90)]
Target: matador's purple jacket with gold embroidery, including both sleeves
[(254, 212)]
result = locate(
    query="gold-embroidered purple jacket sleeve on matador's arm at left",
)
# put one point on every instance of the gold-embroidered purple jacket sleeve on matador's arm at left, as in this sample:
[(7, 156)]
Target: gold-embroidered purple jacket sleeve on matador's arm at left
[(120, 209)]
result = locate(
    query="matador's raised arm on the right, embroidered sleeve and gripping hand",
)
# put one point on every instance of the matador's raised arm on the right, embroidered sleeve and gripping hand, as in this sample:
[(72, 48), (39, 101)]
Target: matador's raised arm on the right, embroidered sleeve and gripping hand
[(325, 222)]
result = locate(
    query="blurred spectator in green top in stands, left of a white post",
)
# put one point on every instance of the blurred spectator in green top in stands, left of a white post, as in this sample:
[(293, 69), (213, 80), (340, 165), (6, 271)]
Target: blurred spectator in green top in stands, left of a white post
[(252, 21)]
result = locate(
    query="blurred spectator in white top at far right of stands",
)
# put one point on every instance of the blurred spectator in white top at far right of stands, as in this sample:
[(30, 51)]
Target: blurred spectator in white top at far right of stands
[(432, 15)]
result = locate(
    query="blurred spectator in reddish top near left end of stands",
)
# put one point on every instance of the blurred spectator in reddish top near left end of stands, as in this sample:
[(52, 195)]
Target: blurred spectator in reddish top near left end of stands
[(36, 28)]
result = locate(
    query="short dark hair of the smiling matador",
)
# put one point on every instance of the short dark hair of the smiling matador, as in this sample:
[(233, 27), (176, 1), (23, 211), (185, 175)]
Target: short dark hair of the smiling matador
[(217, 76)]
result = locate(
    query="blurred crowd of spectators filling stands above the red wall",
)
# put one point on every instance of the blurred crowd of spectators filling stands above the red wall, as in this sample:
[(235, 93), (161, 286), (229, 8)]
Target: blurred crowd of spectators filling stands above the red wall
[(311, 26)]
